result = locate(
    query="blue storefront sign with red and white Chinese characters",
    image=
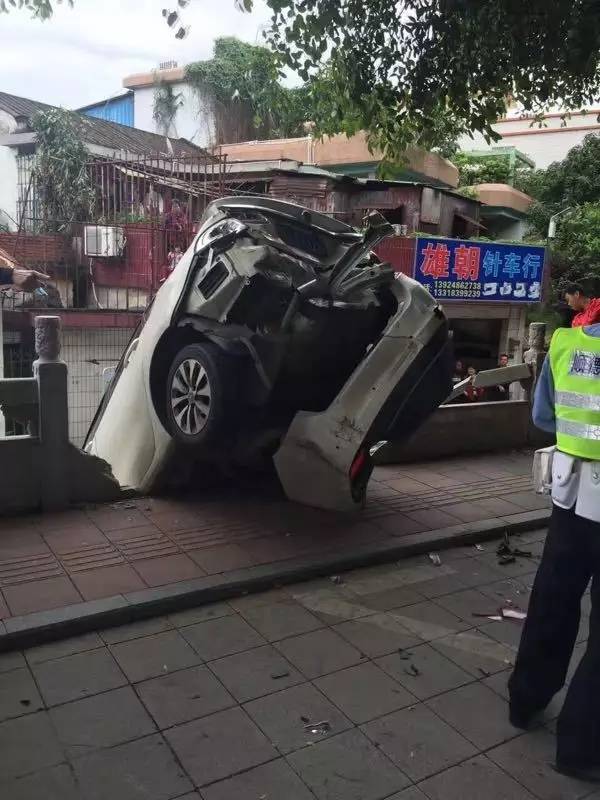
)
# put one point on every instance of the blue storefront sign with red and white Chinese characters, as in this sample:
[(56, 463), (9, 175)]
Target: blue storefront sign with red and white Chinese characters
[(455, 269)]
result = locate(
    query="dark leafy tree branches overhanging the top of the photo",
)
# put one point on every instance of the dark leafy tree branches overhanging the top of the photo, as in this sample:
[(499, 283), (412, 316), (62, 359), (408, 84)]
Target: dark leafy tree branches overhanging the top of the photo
[(395, 68)]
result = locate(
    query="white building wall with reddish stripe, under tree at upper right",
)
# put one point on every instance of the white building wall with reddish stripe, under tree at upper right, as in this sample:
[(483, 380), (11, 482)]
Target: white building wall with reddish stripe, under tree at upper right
[(542, 145)]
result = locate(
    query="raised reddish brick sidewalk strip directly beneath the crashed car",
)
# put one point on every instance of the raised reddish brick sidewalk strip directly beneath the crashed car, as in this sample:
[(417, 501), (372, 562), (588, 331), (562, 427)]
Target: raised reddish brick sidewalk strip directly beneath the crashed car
[(57, 560)]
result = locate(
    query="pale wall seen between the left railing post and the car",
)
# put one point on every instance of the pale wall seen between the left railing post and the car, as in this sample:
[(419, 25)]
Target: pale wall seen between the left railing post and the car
[(87, 353)]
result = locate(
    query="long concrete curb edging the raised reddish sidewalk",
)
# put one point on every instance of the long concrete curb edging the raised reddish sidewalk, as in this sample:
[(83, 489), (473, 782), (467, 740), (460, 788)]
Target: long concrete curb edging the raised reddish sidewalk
[(17, 633)]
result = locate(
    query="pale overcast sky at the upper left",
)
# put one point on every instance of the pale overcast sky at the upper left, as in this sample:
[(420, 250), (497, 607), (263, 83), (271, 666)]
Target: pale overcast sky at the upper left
[(82, 54)]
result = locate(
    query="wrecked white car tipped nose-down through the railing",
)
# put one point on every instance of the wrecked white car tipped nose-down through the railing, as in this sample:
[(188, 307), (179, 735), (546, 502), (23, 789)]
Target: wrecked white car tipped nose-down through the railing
[(280, 337)]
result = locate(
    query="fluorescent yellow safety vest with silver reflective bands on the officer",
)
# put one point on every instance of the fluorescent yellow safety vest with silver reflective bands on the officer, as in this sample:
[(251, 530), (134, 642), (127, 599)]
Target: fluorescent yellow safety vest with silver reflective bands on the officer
[(575, 362)]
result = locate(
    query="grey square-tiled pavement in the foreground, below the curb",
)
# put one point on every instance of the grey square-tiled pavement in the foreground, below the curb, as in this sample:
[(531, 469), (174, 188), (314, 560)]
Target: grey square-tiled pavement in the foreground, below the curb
[(381, 686)]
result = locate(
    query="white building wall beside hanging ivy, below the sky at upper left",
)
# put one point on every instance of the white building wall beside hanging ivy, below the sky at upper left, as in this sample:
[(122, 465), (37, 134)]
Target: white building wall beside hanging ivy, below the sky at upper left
[(194, 120)]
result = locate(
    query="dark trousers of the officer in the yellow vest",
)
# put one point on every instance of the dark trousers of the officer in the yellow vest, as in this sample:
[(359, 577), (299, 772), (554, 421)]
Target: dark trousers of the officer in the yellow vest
[(571, 558)]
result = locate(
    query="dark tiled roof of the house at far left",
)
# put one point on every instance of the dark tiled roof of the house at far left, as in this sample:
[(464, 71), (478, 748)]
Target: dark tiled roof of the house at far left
[(101, 133)]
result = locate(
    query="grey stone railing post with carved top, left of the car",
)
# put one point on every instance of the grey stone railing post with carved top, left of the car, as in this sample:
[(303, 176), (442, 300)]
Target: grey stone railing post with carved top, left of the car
[(51, 375)]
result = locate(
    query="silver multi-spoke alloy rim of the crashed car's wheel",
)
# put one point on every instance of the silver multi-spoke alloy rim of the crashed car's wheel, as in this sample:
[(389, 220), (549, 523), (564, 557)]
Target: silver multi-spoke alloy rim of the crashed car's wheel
[(191, 396)]
